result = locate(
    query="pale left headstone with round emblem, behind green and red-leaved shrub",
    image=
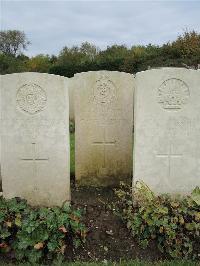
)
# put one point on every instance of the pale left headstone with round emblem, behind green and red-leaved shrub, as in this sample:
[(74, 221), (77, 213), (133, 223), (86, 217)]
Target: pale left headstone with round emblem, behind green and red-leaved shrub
[(35, 138)]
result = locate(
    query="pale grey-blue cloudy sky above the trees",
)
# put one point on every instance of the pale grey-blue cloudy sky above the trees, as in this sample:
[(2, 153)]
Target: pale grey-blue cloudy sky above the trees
[(51, 25)]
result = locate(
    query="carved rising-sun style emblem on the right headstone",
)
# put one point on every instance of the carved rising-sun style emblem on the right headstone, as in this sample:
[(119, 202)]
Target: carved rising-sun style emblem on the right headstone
[(173, 94)]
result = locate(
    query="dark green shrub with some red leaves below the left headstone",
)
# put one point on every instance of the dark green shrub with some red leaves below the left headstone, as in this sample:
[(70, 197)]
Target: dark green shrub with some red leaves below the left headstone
[(35, 234)]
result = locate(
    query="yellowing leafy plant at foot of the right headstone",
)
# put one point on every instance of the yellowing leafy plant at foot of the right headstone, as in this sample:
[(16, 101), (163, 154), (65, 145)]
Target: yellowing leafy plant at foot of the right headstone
[(173, 222)]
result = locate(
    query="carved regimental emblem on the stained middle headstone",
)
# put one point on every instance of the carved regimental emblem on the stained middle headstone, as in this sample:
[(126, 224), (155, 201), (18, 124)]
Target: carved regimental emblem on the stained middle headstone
[(104, 90)]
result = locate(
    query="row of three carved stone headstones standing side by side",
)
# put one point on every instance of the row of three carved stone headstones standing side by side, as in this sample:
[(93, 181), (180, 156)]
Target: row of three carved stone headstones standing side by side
[(144, 127)]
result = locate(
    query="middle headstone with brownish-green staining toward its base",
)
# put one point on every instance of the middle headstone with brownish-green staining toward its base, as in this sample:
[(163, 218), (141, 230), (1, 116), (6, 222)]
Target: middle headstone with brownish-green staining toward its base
[(103, 127)]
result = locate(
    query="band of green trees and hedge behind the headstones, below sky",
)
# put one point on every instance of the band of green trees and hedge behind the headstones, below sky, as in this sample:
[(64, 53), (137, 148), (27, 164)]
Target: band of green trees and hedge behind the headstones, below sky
[(183, 52)]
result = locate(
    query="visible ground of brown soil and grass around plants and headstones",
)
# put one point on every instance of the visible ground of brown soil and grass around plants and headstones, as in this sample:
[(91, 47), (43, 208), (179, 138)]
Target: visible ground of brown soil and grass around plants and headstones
[(108, 241)]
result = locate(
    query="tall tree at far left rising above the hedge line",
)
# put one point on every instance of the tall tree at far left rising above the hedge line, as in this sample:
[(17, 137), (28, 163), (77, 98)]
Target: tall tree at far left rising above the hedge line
[(13, 42)]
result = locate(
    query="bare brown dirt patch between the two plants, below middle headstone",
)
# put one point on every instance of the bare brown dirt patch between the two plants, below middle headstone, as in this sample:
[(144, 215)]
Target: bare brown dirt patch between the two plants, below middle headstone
[(108, 238)]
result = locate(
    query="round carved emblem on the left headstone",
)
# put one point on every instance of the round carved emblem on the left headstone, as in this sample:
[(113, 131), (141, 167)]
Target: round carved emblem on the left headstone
[(31, 98)]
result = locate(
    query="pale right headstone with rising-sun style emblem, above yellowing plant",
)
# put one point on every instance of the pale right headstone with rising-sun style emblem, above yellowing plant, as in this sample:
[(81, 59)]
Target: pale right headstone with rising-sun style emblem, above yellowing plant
[(167, 129)]
